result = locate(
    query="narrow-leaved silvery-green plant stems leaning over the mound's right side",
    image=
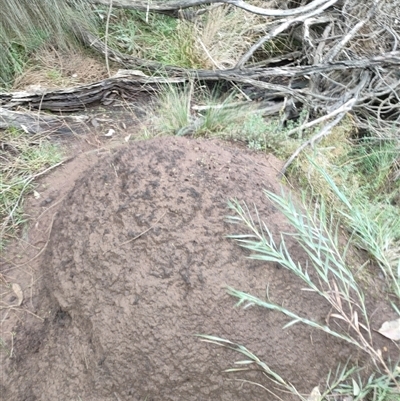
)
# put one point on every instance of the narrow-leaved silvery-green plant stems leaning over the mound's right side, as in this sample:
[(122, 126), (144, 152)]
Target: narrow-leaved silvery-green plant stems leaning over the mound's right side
[(335, 282)]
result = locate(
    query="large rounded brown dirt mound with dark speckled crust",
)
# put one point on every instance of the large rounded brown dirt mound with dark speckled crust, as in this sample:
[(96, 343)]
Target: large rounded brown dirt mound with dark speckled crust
[(137, 265)]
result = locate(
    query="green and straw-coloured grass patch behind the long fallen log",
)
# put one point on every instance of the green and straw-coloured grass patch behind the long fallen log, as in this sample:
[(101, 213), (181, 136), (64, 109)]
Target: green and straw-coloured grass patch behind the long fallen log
[(216, 38)]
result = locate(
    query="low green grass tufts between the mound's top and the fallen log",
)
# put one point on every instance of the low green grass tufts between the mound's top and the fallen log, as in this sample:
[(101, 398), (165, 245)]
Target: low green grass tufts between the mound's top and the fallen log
[(195, 110)]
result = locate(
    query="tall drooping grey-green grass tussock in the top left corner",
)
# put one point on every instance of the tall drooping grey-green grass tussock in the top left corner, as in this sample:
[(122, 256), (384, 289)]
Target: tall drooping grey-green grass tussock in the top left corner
[(27, 25)]
